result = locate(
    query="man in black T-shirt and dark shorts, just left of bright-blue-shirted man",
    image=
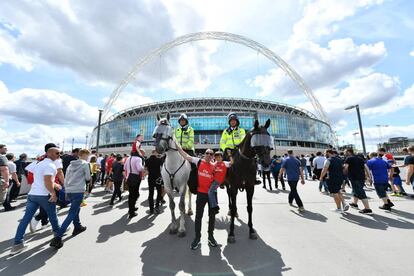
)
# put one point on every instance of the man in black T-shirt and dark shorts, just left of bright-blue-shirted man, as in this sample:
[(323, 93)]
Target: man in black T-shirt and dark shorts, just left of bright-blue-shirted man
[(356, 169)]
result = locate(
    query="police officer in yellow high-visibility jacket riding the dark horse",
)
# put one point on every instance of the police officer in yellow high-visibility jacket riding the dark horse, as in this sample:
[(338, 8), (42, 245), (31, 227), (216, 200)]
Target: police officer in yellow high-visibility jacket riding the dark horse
[(231, 136)]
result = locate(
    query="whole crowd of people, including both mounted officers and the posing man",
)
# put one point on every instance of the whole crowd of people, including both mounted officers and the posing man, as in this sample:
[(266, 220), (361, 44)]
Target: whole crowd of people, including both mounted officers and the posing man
[(67, 180)]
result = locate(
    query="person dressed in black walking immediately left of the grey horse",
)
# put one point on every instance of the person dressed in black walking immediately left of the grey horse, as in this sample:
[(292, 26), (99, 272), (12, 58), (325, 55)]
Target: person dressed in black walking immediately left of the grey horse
[(153, 166)]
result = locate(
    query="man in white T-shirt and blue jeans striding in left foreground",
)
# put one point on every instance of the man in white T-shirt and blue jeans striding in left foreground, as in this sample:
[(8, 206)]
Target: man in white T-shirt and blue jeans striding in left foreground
[(42, 194)]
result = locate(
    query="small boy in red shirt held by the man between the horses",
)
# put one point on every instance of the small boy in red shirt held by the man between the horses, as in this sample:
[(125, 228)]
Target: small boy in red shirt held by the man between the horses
[(220, 171)]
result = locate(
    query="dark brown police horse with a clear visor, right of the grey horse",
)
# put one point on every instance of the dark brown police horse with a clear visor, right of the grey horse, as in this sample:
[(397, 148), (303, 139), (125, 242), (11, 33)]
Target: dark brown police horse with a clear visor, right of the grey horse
[(242, 174)]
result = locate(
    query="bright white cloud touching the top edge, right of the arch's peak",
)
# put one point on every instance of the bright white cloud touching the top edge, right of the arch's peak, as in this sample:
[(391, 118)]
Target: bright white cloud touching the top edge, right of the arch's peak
[(321, 17)]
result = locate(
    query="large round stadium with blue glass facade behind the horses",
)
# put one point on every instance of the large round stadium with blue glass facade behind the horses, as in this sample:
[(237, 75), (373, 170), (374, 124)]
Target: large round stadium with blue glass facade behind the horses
[(291, 127)]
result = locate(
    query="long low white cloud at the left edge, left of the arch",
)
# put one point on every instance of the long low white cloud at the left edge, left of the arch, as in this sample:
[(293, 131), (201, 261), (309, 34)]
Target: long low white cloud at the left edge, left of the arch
[(42, 106)]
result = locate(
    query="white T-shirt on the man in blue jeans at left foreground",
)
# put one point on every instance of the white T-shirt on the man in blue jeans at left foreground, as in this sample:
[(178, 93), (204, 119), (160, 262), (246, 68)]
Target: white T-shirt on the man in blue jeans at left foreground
[(39, 170)]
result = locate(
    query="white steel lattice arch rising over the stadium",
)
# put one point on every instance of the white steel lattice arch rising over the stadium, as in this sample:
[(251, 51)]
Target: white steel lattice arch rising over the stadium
[(277, 60)]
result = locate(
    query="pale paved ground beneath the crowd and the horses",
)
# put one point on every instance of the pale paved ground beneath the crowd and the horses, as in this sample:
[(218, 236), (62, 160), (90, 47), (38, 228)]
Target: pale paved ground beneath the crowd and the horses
[(318, 242)]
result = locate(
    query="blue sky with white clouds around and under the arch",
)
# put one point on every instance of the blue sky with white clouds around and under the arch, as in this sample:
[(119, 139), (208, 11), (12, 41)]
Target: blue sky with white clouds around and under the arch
[(60, 61)]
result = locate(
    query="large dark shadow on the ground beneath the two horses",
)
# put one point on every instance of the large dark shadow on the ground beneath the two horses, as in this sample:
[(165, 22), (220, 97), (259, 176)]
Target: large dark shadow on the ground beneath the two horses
[(252, 257)]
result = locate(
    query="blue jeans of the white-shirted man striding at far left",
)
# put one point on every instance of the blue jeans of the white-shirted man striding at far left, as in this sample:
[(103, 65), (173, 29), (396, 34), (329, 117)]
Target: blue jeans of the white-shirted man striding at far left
[(33, 203)]
